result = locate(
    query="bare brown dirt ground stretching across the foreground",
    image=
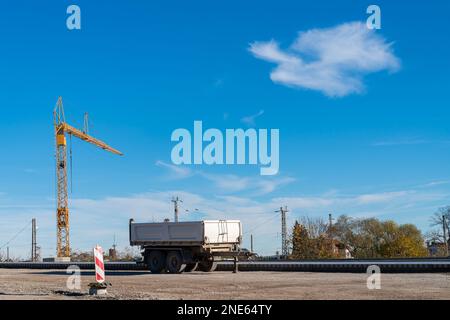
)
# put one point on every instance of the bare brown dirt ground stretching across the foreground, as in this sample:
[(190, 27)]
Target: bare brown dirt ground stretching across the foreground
[(52, 285)]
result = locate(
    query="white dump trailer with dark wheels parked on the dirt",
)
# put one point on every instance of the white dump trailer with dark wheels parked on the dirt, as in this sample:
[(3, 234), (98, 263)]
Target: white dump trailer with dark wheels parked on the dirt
[(176, 247)]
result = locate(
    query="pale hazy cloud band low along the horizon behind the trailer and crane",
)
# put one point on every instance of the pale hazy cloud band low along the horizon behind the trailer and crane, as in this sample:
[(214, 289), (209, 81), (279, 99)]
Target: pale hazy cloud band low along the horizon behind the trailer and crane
[(99, 220)]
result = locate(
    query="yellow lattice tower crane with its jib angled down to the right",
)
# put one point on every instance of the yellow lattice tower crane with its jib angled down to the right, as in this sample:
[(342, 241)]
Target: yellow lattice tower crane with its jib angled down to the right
[(62, 212)]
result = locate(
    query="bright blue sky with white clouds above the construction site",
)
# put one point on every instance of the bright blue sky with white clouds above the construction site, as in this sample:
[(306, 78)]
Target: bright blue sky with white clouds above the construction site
[(143, 69)]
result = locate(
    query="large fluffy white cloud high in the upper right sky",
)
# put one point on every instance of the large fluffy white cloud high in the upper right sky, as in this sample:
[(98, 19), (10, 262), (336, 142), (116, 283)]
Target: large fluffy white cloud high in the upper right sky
[(332, 61)]
